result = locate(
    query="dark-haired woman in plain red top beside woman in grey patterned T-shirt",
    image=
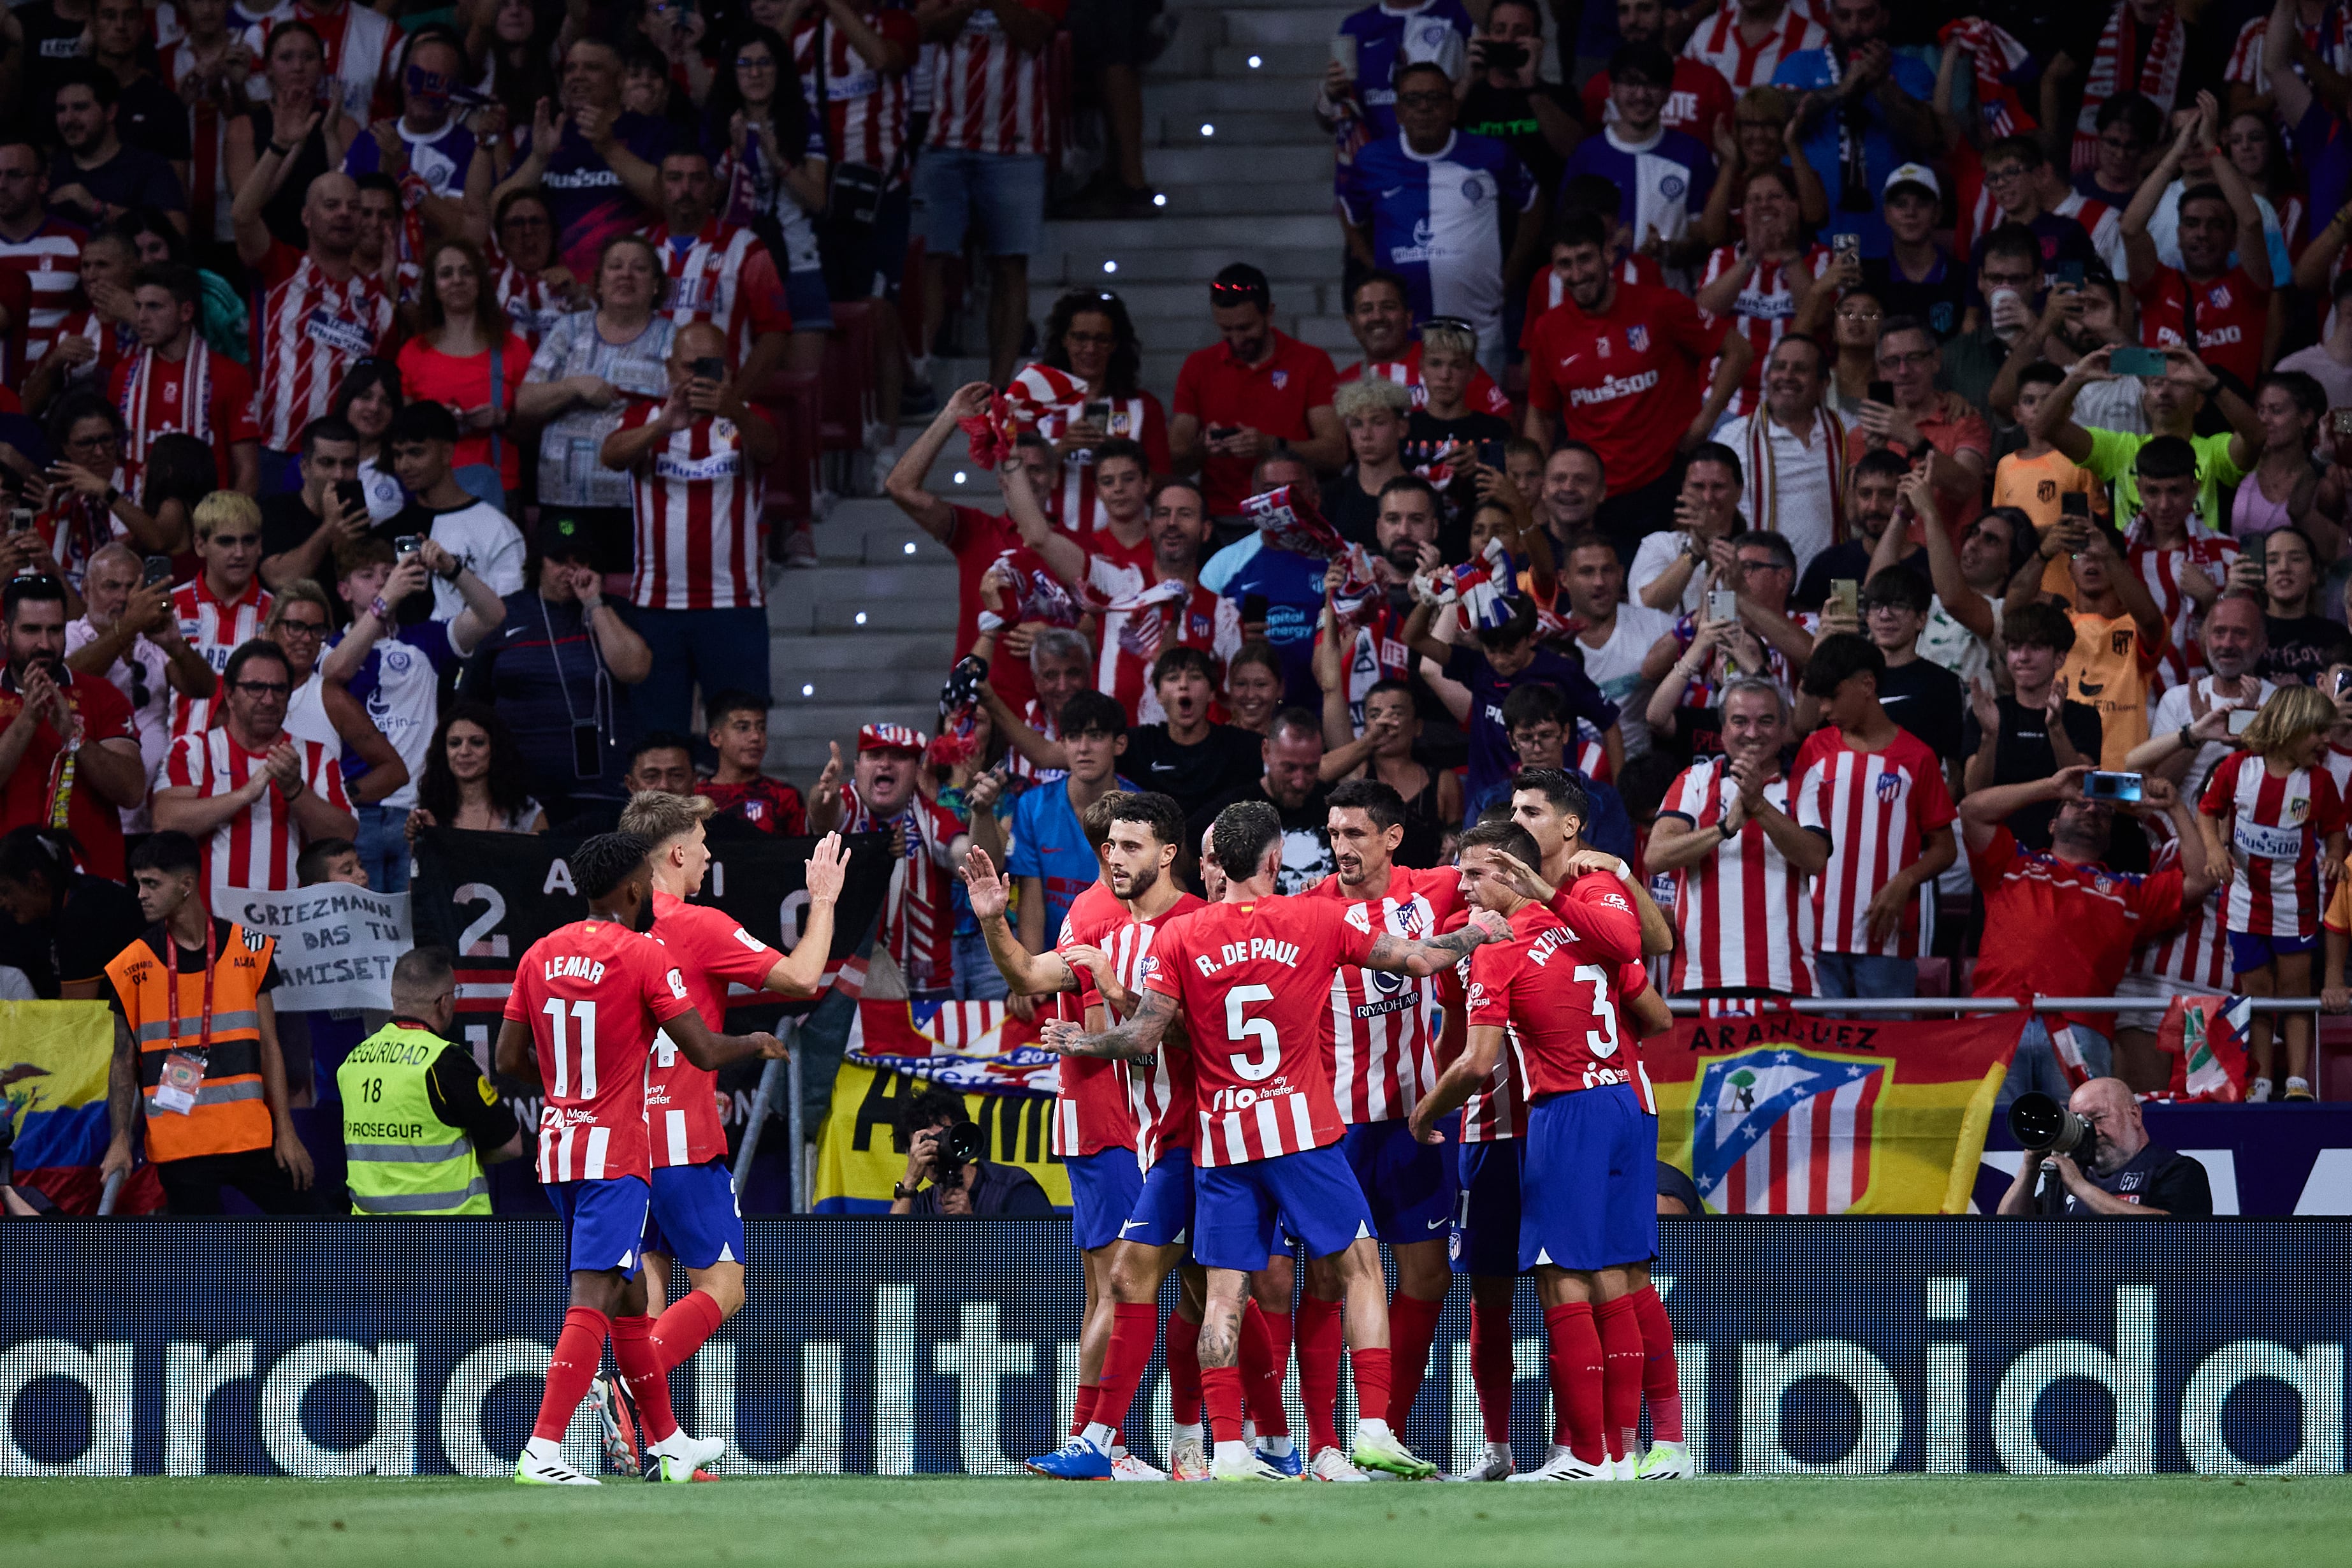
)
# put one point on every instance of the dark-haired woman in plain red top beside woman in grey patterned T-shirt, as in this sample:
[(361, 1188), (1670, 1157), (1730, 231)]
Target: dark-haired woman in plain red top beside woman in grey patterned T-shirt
[(469, 359)]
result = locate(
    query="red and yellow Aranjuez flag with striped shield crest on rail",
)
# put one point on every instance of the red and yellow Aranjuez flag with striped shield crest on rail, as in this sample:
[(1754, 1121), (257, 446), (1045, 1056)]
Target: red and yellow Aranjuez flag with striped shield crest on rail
[(1826, 1115)]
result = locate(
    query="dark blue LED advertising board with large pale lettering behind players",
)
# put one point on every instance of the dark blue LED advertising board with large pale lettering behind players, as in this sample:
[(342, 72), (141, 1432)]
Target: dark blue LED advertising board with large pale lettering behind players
[(1810, 1346)]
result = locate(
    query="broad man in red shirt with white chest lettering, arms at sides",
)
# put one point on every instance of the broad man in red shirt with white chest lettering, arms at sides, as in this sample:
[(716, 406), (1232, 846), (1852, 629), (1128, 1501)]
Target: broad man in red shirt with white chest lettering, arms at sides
[(1622, 368)]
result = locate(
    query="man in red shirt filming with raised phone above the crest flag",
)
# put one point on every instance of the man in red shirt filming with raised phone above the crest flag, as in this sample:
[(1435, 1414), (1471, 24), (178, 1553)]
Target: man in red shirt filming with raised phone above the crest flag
[(2062, 920)]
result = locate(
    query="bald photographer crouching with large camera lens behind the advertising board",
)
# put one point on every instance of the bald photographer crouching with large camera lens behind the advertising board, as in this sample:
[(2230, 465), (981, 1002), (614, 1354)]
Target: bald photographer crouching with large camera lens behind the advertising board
[(2092, 1155)]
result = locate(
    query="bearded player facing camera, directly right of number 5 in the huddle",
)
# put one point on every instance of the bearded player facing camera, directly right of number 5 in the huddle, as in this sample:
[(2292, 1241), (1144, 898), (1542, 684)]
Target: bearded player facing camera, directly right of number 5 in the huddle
[(1382, 1064)]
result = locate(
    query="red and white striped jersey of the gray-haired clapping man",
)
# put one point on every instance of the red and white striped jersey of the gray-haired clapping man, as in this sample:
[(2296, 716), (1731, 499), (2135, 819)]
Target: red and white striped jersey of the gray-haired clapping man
[(1742, 913)]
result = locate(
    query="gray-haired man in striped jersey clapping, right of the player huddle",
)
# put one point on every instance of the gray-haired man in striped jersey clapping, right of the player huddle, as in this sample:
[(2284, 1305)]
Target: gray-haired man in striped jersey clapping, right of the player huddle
[(1739, 845)]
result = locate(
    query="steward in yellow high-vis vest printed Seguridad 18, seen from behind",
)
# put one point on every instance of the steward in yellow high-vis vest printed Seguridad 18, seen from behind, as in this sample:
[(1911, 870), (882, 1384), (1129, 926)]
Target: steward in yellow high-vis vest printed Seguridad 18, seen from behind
[(420, 1120)]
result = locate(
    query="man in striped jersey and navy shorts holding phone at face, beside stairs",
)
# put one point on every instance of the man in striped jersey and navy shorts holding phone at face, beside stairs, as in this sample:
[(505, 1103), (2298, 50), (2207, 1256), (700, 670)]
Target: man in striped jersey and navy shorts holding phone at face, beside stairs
[(700, 587)]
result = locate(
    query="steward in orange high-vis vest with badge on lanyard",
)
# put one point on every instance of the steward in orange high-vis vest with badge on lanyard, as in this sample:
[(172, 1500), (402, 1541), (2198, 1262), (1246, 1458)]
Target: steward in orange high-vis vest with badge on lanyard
[(196, 1050)]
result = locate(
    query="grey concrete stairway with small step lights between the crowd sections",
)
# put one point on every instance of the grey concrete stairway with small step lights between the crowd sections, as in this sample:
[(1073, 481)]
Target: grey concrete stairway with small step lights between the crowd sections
[(1248, 177)]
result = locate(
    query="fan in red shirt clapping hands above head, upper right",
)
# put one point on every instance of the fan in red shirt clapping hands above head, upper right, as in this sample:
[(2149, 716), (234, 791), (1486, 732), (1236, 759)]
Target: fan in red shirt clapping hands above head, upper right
[(2205, 304)]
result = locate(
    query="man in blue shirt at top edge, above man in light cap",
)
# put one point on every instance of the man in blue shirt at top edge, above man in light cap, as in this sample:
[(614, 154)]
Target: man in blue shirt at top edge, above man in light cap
[(1866, 109)]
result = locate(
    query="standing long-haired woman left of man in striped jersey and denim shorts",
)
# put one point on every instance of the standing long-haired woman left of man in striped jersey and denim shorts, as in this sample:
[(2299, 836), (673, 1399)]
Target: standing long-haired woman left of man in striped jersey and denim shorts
[(770, 159)]
